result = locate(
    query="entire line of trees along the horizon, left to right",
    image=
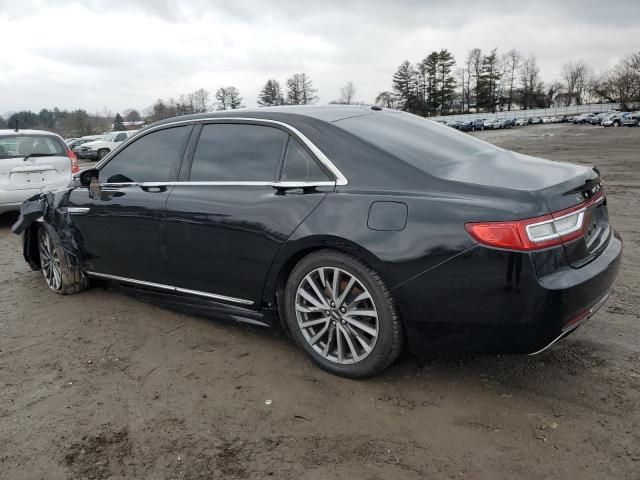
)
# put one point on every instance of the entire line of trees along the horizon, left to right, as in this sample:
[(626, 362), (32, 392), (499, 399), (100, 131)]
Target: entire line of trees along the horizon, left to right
[(436, 85)]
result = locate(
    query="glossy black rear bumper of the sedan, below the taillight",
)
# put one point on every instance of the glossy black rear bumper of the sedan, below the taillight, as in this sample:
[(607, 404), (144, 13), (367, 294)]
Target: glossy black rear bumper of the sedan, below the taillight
[(502, 302)]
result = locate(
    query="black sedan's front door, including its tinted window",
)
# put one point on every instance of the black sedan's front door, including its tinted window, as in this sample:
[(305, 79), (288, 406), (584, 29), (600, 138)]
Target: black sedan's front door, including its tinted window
[(121, 220)]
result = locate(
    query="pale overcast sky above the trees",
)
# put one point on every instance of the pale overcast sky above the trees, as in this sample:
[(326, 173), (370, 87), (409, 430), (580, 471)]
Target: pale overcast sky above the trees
[(123, 54)]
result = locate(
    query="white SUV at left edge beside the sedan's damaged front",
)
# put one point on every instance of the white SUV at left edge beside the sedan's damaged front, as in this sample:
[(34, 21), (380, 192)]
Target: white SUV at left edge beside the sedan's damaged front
[(32, 161)]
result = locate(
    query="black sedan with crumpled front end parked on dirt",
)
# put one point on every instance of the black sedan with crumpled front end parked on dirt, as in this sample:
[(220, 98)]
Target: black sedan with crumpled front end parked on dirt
[(357, 230)]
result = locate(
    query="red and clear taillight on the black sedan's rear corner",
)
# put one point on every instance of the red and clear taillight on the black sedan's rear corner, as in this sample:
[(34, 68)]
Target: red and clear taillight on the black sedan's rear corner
[(534, 233)]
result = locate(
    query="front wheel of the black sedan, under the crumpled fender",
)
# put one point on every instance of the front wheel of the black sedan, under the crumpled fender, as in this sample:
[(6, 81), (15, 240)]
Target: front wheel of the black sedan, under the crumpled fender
[(59, 273)]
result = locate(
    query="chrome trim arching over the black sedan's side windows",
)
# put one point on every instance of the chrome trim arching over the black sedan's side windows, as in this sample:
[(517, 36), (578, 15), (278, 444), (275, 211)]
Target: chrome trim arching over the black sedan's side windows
[(340, 178)]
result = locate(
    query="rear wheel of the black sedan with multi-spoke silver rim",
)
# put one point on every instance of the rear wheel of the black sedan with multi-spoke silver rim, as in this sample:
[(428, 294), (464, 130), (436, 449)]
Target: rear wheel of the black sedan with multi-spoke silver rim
[(341, 313)]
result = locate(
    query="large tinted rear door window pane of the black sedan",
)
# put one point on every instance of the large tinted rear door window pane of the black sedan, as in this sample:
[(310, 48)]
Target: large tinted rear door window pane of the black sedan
[(237, 153)]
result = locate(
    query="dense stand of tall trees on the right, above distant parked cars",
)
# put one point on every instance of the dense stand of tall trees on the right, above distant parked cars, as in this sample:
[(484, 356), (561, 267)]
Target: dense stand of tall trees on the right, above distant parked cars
[(492, 81)]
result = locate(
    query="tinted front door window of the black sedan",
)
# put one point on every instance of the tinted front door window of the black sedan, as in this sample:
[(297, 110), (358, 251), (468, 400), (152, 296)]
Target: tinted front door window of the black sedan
[(152, 158)]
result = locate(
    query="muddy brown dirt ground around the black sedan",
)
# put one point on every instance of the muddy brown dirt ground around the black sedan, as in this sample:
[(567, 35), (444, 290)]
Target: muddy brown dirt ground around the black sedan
[(100, 385)]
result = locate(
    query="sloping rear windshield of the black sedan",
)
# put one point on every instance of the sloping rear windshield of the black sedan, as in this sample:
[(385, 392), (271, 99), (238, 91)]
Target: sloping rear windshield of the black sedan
[(427, 145)]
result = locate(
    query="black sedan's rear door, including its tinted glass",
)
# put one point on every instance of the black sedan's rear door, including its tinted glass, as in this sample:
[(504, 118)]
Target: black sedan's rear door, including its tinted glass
[(236, 207)]
